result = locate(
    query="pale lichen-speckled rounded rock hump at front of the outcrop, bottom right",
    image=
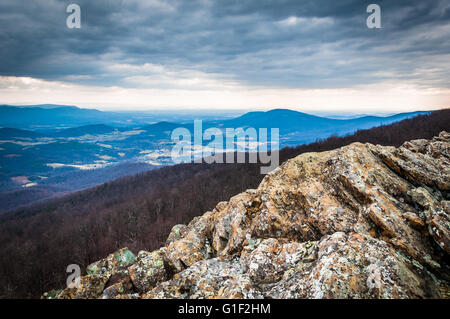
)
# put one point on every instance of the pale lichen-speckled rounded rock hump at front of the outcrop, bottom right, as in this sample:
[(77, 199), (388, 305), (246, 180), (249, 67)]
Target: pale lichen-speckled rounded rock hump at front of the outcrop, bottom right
[(356, 266)]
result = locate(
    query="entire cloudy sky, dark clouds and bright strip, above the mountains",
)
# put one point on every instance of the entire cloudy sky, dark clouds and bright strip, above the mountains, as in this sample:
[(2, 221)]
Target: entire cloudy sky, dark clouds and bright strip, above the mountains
[(311, 55)]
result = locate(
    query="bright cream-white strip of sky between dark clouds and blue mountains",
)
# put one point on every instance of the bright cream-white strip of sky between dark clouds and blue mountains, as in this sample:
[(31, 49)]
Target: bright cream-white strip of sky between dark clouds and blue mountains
[(381, 97)]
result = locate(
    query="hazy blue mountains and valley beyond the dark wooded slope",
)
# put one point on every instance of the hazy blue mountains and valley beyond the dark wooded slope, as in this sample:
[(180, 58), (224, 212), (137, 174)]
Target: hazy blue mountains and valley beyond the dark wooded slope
[(41, 146)]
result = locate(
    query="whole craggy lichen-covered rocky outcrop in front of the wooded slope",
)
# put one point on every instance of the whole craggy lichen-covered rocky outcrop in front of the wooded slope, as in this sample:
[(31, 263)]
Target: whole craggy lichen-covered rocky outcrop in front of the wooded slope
[(362, 221)]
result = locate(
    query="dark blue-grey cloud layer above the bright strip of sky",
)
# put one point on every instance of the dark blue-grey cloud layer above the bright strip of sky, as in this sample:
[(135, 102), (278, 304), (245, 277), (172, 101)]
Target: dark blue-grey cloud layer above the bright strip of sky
[(281, 43)]
